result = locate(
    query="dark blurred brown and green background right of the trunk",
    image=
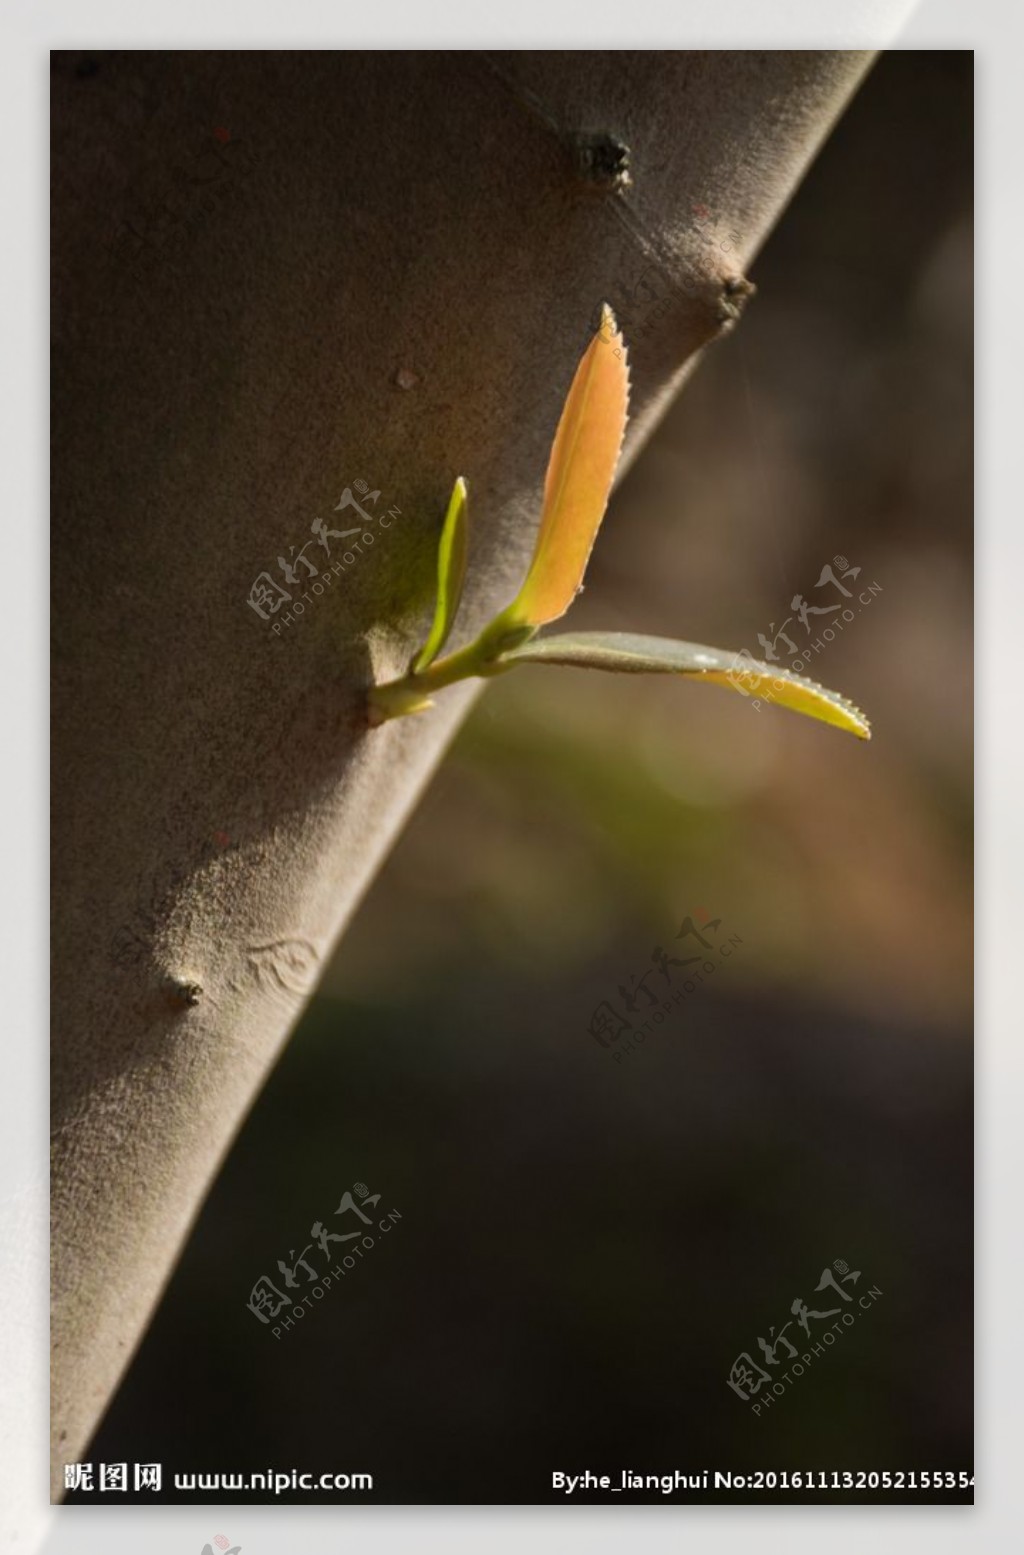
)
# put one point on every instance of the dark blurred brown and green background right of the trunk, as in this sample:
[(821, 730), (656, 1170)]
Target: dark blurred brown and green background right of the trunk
[(591, 1235)]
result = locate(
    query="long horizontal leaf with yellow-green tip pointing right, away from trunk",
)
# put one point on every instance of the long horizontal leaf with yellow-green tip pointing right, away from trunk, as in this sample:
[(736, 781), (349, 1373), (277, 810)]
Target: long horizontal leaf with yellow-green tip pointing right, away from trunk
[(635, 655)]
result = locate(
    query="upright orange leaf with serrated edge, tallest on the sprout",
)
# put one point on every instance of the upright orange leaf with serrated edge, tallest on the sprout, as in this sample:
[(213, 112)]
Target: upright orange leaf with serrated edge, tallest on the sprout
[(579, 480)]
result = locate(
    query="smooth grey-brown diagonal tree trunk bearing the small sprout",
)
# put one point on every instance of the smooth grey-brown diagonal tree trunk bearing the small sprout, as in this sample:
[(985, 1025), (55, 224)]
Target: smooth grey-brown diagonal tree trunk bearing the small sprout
[(274, 276)]
